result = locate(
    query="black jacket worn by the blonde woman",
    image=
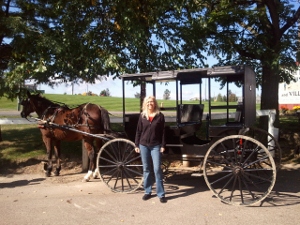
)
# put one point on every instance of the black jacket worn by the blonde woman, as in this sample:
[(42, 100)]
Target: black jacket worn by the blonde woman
[(151, 133)]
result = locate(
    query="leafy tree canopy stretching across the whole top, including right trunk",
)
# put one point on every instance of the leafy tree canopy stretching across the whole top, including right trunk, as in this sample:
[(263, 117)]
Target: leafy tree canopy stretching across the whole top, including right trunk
[(82, 40)]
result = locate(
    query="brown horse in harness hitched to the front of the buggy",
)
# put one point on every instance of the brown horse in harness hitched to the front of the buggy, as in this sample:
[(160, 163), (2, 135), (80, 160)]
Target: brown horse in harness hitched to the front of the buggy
[(87, 118)]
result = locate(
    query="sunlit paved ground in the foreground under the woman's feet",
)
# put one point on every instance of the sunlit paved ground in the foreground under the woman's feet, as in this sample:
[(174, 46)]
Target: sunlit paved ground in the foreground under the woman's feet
[(33, 199)]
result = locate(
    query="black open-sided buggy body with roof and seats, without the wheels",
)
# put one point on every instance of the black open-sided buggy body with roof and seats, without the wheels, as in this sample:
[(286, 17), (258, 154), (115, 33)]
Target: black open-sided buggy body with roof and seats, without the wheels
[(187, 118)]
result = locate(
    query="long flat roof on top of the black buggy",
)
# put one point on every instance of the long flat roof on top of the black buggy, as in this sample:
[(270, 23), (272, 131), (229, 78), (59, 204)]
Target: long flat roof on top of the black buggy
[(189, 76)]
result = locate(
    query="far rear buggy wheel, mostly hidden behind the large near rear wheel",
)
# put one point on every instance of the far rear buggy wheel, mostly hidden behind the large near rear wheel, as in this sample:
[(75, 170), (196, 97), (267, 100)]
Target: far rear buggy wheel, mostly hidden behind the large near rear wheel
[(267, 140)]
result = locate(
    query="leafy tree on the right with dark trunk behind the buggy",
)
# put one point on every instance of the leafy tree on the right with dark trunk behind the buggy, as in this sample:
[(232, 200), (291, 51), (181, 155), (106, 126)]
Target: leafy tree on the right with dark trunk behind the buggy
[(261, 33)]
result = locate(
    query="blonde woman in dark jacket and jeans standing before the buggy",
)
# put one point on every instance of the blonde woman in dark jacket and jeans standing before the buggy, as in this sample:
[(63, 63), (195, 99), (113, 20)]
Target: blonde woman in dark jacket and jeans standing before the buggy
[(150, 142)]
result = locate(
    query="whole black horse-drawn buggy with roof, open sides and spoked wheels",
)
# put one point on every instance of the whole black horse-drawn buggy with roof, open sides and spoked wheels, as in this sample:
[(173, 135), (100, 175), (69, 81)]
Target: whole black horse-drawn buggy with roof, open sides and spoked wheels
[(239, 162)]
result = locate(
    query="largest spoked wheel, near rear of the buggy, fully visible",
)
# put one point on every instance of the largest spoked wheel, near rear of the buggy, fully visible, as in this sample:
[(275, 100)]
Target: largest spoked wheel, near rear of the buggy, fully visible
[(239, 170)]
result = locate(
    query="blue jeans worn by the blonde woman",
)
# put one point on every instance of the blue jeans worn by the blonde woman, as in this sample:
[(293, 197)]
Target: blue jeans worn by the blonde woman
[(149, 154)]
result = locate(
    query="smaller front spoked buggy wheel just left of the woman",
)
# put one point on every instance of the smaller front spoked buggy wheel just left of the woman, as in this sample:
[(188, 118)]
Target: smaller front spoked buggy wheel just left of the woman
[(120, 167)]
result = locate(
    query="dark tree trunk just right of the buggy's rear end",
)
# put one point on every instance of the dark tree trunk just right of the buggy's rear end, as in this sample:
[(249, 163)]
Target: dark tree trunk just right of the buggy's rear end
[(269, 94)]
